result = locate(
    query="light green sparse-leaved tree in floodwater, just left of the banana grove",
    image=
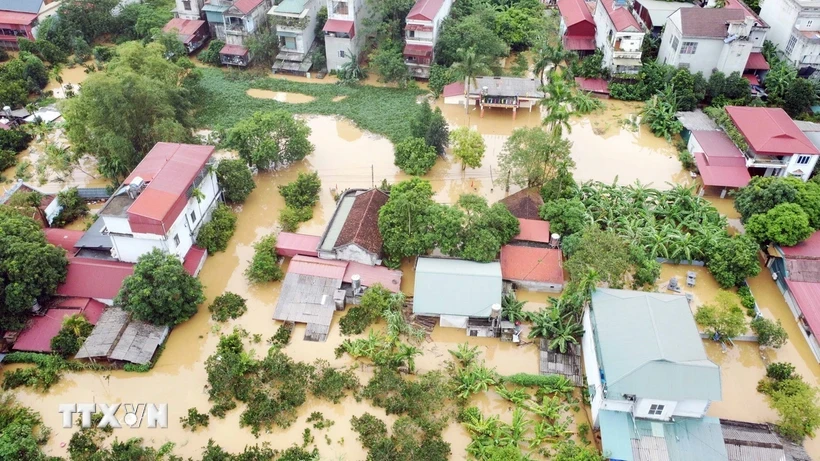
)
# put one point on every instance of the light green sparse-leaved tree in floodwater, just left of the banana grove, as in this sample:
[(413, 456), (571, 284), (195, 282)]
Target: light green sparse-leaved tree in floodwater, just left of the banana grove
[(531, 156)]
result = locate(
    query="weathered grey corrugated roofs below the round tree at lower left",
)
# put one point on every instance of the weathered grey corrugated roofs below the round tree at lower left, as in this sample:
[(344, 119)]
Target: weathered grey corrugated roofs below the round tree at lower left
[(117, 337)]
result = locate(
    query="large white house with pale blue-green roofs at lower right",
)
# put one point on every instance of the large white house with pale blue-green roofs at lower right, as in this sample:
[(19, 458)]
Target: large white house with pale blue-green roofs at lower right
[(647, 369)]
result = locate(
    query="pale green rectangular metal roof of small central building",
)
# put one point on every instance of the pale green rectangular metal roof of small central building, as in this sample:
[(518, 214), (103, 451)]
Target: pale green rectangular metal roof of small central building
[(456, 287)]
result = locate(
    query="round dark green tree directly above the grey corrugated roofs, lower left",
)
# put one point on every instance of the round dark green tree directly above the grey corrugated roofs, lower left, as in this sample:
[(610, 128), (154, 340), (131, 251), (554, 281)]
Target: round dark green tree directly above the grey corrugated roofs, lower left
[(160, 291)]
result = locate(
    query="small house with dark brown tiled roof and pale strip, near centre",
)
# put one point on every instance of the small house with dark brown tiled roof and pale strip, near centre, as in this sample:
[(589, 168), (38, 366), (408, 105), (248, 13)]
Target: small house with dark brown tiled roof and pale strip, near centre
[(353, 232)]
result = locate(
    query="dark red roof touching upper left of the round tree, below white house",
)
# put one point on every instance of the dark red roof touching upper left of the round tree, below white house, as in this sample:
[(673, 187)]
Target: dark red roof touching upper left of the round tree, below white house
[(94, 278)]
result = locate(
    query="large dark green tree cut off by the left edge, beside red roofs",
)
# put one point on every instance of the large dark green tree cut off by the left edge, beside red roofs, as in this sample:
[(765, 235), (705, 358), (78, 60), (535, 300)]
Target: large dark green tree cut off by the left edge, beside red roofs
[(30, 267)]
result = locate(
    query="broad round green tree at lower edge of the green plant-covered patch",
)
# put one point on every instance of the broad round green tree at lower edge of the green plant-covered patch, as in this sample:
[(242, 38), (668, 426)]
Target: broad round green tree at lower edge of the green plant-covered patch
[(271, 139)]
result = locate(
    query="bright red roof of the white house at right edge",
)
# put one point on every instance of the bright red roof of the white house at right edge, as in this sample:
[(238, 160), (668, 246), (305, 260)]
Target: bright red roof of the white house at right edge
[(770, 131)]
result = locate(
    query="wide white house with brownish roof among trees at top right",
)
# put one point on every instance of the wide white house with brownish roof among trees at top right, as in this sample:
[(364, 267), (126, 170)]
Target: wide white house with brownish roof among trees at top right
[(709, 39)]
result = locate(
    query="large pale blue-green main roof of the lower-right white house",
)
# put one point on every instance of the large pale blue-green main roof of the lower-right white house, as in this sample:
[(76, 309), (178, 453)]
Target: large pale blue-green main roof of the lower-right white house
[(649, 346)]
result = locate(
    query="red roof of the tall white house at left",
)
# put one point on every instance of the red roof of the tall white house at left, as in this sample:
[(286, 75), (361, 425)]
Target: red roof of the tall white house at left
[(169, 169)]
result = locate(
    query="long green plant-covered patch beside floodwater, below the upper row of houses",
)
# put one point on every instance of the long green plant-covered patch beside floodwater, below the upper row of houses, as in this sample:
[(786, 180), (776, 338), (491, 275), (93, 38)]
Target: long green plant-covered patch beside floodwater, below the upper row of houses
[(380, 110)]
